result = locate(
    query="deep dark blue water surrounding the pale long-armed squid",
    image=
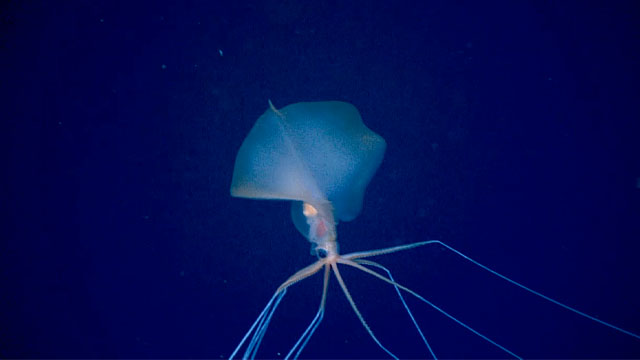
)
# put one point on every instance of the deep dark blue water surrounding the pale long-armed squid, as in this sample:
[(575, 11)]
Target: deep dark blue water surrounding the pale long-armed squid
[(513, 135)]
